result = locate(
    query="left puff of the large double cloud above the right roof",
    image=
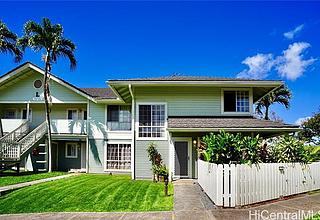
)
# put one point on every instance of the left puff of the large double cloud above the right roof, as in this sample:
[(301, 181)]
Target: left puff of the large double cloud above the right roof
[(258, 66)]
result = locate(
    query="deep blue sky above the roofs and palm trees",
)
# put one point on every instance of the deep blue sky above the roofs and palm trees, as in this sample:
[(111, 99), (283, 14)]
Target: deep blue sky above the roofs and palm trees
[(118, 40)]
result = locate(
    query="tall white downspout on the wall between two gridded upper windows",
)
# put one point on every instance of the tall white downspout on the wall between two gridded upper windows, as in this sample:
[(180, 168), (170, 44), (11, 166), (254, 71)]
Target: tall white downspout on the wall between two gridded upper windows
[(132, 133)]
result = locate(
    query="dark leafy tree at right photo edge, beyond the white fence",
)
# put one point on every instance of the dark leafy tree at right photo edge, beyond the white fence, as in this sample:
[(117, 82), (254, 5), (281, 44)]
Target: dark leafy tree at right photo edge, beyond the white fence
[(311, 129)]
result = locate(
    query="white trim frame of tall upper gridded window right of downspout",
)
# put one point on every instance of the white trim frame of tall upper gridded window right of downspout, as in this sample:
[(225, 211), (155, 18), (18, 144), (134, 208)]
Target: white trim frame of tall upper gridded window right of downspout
[(165, 122)]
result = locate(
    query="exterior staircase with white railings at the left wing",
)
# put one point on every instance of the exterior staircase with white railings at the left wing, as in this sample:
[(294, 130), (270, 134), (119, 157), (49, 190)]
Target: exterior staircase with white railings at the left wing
[(16, 144)]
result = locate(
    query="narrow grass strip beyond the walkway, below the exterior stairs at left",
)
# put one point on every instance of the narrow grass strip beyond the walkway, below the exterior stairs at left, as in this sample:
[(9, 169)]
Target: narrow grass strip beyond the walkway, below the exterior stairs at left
[(9, 178)]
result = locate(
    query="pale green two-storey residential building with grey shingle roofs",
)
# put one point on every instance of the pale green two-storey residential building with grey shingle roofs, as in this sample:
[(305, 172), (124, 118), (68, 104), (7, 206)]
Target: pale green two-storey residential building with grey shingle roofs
[(100, 130)]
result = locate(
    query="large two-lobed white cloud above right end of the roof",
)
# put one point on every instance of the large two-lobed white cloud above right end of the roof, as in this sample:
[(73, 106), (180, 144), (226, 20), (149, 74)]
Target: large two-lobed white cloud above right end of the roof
[(290, 65)]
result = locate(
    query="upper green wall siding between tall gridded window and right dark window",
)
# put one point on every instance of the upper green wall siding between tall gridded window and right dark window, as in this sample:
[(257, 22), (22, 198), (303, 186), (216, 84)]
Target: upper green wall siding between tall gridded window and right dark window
[(183, 101)]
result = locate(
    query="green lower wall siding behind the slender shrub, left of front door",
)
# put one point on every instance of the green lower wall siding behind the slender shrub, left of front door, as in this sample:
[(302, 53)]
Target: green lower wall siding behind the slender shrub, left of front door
[(142, 163)]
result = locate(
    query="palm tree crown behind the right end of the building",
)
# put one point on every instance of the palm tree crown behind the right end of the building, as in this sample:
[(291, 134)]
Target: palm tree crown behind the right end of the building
[(281, 95)]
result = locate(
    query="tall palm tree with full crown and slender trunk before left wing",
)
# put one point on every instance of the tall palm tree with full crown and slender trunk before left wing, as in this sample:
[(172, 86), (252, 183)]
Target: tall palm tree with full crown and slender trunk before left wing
[(48, 38)]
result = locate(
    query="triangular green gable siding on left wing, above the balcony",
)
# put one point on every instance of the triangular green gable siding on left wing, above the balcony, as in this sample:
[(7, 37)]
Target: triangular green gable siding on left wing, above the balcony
[(22, 89)]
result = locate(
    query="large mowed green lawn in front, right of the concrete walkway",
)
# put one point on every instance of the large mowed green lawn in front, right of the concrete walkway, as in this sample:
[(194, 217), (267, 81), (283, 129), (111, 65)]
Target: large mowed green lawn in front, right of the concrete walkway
[(89, 193)]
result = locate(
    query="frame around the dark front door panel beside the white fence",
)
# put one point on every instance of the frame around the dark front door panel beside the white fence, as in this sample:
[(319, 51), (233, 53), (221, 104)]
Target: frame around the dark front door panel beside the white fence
[(189, 141)]
